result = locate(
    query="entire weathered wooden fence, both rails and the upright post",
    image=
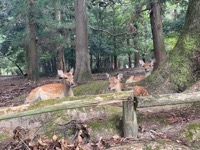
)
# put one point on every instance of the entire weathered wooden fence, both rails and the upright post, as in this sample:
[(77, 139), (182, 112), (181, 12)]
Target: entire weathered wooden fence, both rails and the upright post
[(129, 105)]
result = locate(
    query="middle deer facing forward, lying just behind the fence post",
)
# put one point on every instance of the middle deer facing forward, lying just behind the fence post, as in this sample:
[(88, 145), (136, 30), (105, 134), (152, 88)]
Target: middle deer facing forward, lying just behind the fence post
[(116, 85)]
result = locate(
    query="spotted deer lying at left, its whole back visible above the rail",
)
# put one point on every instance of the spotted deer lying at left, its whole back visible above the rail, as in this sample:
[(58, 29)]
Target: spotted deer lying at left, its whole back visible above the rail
[(54, 90)]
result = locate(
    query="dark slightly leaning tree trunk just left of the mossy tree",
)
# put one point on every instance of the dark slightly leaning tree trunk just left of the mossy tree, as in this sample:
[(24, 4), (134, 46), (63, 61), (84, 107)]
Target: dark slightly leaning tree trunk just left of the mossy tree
[(157, 32)]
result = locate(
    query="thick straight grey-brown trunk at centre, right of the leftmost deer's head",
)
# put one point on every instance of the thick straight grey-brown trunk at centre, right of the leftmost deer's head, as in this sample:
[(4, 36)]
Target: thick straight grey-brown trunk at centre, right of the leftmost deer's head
[(83, 70)]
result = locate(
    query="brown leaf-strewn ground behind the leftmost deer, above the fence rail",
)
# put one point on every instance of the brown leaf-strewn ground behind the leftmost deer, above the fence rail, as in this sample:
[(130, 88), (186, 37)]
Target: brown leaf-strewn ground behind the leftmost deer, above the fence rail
[(14, 89)]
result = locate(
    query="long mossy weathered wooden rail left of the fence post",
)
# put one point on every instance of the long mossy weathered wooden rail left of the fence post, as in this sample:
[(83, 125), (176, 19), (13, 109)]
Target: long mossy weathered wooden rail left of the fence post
[(61, 104)]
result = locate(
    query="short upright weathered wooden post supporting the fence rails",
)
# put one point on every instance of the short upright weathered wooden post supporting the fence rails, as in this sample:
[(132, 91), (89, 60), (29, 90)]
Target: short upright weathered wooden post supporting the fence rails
[(130, 127)]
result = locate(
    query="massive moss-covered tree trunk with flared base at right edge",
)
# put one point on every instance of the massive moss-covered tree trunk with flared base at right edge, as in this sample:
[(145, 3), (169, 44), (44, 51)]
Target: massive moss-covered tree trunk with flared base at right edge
[(182, 68)]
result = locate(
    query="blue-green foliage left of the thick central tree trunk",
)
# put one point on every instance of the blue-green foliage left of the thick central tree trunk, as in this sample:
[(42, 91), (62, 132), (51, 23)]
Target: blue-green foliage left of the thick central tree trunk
[(51, 34)]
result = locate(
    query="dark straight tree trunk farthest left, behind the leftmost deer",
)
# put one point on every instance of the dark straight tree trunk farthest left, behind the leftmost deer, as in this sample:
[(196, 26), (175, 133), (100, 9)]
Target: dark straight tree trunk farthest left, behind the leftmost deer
[(33, 70)]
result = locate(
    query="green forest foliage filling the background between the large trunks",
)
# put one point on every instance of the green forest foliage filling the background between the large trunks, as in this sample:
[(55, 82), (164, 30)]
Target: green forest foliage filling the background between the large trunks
[(108, 30)]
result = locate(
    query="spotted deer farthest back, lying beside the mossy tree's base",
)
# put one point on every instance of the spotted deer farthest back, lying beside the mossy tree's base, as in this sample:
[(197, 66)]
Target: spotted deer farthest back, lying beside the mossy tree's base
[(148, 67)]
